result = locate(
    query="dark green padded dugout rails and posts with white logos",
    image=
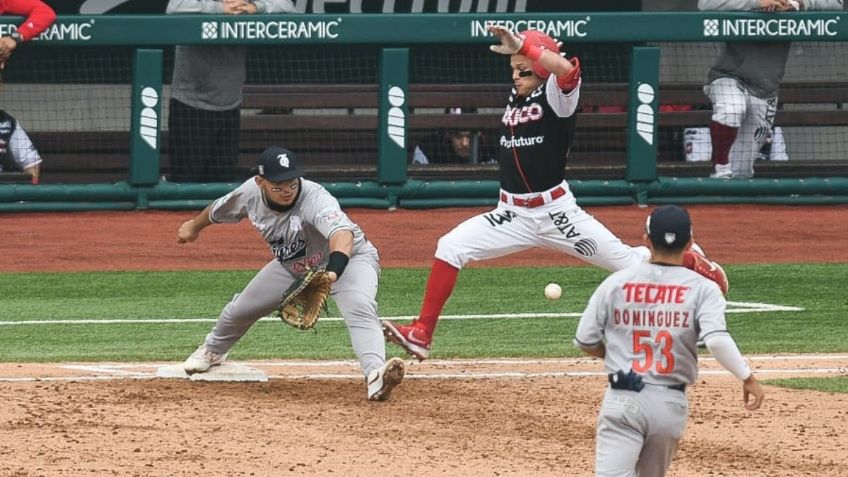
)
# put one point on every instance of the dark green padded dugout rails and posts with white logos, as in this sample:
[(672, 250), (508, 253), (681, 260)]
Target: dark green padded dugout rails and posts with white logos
[(393, 186)]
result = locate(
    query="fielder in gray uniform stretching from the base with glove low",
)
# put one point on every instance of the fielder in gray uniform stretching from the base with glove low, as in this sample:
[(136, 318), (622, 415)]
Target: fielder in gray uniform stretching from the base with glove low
[(305, 227)]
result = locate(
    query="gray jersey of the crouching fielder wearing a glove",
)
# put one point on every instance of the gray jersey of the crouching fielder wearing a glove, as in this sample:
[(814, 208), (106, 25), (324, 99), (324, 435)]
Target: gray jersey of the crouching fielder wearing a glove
[(299, 238)]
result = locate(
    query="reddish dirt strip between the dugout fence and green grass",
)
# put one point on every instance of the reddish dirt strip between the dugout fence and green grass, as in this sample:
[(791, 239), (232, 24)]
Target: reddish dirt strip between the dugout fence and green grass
[(147, 240)]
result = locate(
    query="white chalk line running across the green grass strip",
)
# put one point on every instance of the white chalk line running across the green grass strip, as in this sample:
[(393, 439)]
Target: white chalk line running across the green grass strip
[(733, 307)]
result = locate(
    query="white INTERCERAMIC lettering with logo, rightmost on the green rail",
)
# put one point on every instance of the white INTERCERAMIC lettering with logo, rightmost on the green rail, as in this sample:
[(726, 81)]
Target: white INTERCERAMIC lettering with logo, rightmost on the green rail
[(772, 27)]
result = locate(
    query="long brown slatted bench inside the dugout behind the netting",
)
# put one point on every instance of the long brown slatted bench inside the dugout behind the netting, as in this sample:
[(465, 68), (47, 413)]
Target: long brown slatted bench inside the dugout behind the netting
[(333, 128)]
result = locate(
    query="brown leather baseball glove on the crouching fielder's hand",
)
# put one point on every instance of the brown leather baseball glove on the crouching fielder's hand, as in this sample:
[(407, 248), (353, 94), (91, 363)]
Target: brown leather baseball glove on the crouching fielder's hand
[(303, 301)]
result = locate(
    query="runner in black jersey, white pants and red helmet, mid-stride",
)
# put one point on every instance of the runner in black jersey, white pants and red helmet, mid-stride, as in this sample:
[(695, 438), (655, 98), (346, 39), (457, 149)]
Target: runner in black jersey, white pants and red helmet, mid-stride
[(536, 207)]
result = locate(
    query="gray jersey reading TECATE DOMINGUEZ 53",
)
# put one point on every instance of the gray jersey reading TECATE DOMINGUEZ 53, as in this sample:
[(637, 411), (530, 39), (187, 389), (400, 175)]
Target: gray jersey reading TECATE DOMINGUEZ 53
[(651, 317)]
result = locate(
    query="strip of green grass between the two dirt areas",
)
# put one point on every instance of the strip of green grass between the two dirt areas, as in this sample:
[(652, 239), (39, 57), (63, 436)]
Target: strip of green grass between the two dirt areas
[(134, 297)]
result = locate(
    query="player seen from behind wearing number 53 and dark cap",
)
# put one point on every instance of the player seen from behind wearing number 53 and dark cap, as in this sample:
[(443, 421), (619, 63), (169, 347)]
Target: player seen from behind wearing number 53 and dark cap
[(644, 321)]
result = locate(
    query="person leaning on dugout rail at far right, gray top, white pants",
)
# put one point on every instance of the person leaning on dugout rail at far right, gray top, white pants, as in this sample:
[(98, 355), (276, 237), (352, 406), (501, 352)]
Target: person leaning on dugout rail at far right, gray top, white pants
[(742, 86)]
